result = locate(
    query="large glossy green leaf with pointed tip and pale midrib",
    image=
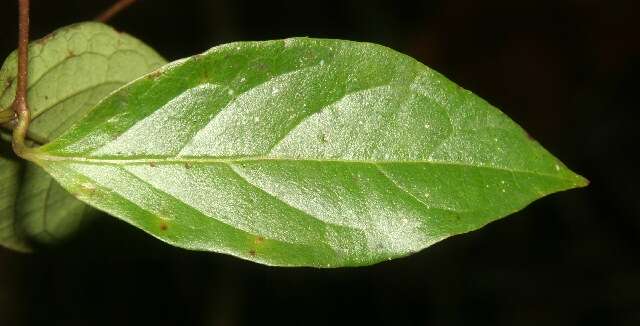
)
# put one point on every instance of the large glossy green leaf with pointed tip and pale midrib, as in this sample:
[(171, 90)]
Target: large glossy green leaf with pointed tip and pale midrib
[(302, 152)]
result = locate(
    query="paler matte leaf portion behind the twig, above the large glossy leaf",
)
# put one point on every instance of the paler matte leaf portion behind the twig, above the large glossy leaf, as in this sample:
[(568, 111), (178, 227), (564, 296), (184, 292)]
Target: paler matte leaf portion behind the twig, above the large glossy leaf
[(70, 70)]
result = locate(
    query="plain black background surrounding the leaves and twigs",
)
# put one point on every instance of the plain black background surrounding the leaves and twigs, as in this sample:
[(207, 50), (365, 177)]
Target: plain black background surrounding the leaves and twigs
[(565, 70)]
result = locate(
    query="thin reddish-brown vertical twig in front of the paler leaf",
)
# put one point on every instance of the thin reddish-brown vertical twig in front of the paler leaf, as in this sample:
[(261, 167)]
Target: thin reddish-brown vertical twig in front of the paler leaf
[(20, 105)]
